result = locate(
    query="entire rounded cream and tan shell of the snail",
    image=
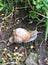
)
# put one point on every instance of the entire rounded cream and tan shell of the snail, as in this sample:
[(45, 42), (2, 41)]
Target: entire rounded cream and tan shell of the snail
[(21, 35)]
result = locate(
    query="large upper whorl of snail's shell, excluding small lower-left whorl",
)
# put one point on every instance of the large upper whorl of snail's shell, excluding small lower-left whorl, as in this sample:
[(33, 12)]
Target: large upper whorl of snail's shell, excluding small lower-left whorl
[(22, 33)]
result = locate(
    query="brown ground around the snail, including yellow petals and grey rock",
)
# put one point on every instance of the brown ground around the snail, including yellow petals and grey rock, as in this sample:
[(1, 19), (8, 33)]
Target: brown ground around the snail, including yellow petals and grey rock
[(37, 49)]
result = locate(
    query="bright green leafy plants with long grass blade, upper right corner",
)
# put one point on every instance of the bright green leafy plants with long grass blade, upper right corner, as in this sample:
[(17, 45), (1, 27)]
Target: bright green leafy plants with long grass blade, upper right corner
[(40, 7)]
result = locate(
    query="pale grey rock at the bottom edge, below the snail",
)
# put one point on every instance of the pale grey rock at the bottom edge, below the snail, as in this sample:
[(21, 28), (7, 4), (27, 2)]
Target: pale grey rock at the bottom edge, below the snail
[(32, 59)]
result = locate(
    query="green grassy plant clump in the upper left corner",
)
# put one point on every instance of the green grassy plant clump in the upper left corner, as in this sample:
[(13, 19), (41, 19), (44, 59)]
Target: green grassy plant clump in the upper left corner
[(7, 6)]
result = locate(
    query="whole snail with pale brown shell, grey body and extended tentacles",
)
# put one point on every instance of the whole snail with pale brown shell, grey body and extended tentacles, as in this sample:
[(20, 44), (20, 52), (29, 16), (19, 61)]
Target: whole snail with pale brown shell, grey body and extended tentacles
[(22, 35)]
